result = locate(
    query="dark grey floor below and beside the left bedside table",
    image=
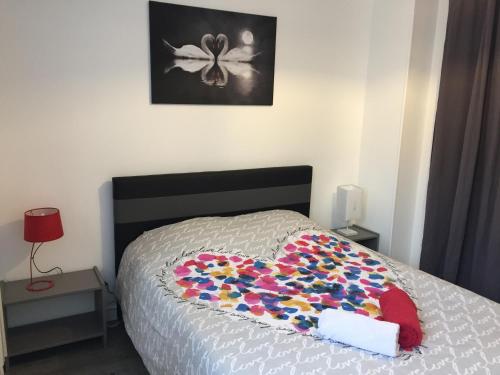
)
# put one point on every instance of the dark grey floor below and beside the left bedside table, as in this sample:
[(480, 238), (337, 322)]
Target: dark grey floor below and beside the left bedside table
[(88, 357)]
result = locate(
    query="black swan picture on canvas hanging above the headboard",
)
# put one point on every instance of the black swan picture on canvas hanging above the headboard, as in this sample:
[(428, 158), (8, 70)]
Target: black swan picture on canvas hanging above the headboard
[(206, 56)]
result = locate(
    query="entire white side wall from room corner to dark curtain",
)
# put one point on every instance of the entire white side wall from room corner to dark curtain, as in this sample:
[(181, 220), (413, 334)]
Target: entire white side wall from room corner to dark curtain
[(406, 47)]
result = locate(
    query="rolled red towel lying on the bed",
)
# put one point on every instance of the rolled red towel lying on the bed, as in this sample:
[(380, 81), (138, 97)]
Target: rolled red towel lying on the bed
[(398, 307)]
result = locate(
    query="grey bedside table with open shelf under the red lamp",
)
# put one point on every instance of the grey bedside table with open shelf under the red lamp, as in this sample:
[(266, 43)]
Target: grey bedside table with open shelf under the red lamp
[(43, 335)]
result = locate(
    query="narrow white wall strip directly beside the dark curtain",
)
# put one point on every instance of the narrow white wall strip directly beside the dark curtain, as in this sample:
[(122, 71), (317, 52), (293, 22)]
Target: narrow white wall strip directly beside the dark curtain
[(418, 126)]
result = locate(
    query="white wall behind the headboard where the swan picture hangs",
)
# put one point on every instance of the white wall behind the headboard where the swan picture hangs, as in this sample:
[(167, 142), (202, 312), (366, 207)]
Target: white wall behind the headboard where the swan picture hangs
[(75, 112)]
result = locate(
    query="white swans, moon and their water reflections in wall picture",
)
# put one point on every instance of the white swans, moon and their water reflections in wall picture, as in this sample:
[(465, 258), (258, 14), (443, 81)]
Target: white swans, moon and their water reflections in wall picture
[(216, 70)]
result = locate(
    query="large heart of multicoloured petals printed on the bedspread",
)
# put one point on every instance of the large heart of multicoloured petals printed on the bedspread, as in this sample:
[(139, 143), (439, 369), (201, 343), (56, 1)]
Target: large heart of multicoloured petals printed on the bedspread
[(315, 272)]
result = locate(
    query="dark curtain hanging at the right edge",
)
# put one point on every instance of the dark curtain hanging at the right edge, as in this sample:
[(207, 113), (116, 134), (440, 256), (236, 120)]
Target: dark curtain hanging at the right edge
[(461, 241)]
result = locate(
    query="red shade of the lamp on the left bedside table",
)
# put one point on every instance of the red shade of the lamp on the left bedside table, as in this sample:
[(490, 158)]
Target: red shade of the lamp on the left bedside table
[(42, 225)]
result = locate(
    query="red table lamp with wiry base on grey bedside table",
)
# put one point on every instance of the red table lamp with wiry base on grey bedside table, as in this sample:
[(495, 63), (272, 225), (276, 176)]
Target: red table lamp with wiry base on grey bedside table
[(41, 225)]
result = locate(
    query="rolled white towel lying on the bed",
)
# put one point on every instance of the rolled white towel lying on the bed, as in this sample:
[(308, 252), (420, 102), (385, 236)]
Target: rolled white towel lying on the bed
[(359, 331)]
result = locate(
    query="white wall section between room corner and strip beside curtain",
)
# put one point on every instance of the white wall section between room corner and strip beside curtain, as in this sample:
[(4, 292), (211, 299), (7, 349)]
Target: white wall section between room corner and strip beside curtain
[(390, 46)]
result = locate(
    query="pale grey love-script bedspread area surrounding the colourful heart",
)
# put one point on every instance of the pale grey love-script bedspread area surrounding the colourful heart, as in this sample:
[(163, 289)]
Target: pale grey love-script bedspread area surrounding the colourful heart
[(175, 336)]
